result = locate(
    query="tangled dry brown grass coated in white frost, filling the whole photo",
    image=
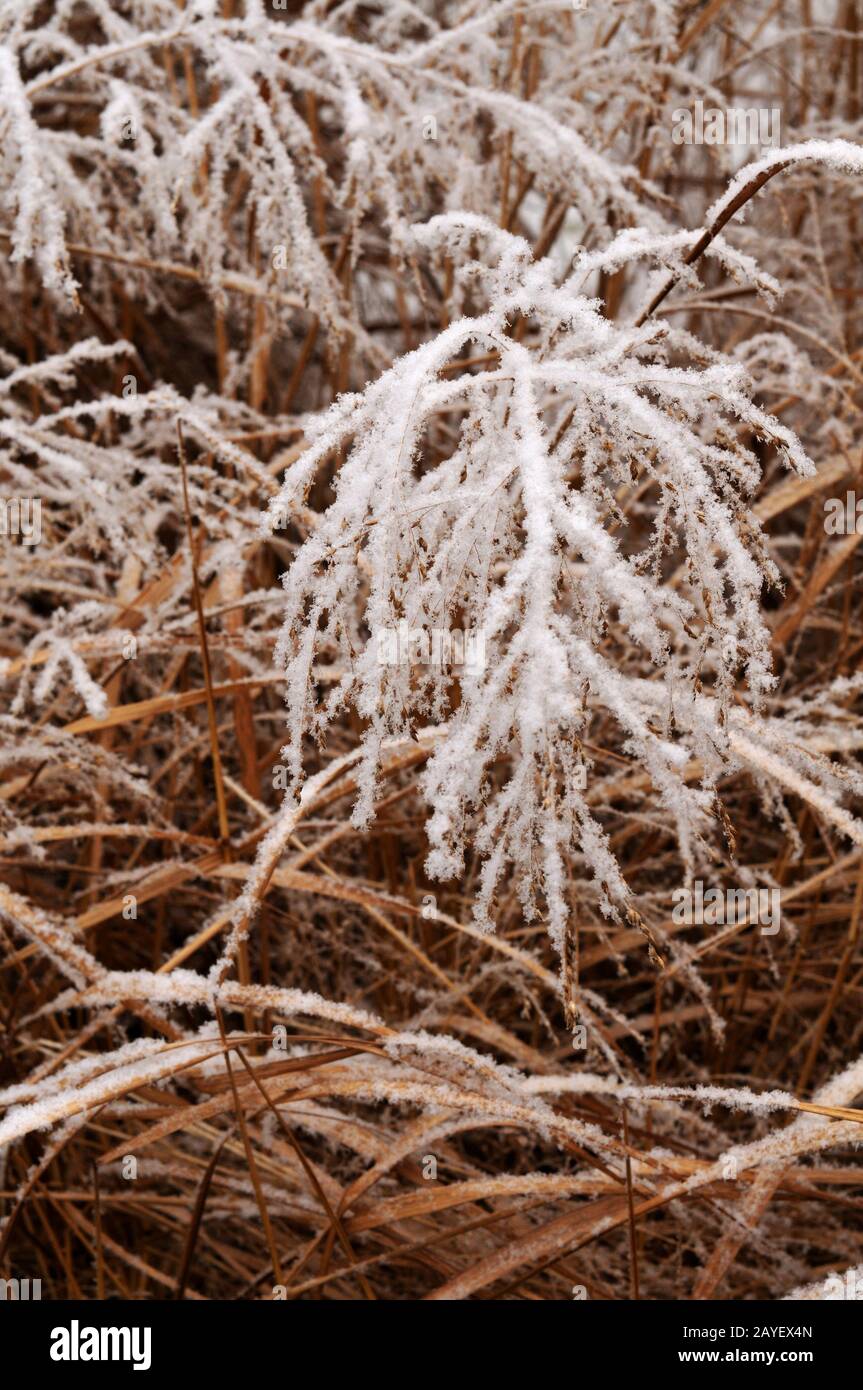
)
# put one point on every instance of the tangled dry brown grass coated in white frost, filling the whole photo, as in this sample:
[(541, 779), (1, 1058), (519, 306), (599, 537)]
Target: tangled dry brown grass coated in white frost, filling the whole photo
[(248, 1042)]
